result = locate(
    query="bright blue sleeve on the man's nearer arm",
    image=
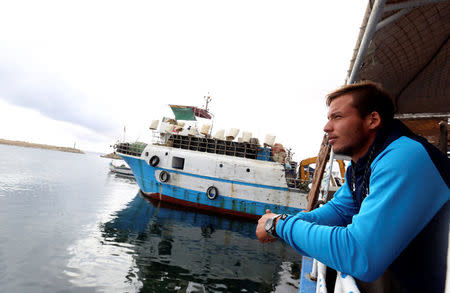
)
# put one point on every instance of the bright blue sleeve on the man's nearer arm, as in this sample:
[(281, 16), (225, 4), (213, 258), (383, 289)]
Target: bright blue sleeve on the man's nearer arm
[(397, 208)]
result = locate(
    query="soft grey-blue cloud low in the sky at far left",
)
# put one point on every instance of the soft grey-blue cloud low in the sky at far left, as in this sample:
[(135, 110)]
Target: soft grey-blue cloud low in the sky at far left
[(53, 98)]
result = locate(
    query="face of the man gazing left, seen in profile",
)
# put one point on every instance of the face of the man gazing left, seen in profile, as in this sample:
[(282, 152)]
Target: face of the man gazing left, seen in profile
[(348, 133)]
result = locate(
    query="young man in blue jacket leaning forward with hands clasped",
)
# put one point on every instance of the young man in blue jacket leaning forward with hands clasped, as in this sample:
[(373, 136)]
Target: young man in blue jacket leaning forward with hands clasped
[(393, 210)]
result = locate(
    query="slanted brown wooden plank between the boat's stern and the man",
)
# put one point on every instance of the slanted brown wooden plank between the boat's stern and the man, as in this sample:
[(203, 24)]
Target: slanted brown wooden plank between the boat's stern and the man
[(321, 162)]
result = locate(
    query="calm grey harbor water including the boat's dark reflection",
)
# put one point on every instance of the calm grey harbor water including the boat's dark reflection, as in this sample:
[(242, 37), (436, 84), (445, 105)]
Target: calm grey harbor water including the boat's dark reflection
[(68, 225)]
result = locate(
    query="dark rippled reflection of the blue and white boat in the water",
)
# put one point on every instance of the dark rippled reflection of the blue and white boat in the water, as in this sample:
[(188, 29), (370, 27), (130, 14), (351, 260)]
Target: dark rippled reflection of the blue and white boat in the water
[(179, 250)]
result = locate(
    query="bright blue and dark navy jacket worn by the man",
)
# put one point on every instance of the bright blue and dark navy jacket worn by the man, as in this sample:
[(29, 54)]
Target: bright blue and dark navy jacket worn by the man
[(402, 222)]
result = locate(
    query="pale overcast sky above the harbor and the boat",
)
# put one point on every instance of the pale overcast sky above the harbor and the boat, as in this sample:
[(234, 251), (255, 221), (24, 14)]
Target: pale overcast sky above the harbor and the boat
[(79, 71)]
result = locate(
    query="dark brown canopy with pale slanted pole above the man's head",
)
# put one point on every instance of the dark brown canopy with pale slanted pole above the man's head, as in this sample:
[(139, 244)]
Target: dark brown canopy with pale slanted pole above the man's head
[(404, 45)]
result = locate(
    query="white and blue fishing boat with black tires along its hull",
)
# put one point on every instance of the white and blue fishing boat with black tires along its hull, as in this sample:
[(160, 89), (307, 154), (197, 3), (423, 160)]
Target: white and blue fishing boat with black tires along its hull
[(226, 174)]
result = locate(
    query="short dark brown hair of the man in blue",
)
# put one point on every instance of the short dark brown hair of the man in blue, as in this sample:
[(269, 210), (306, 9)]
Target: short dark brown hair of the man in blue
[(368, 97)]
